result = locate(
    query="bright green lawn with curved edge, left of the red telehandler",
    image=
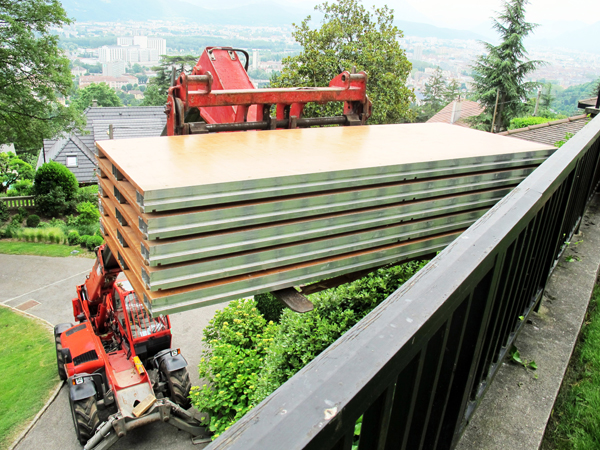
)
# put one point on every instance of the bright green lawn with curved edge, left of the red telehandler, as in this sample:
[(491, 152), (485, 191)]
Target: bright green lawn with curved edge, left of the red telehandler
[(28, 374)]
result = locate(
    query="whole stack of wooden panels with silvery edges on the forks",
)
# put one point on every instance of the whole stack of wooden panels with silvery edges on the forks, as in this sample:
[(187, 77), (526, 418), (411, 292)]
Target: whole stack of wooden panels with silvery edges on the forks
[(196, 220)]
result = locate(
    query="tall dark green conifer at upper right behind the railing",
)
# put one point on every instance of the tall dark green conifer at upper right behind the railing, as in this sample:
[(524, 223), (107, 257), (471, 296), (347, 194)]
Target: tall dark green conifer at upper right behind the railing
[(504, 68)]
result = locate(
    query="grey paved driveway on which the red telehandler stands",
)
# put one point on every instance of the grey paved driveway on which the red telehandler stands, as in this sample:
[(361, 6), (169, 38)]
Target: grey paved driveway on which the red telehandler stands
[(44, 287)]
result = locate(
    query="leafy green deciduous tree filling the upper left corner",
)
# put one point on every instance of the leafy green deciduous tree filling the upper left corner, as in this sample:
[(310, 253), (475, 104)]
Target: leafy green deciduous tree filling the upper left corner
[(35, 73)]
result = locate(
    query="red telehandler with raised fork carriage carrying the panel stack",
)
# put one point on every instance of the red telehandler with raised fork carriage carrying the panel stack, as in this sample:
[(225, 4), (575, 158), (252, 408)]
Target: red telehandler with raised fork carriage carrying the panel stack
[(118, 359)]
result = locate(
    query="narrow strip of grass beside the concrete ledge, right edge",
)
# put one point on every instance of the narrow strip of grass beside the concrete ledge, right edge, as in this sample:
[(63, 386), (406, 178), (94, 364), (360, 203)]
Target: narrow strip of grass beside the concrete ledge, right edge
[(575, 421)]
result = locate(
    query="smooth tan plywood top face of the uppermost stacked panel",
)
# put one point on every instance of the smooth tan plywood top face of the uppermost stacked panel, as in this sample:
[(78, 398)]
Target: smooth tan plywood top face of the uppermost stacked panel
[(182, 161)]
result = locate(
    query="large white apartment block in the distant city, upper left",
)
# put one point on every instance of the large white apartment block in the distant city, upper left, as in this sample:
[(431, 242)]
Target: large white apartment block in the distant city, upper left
[(134, 49)]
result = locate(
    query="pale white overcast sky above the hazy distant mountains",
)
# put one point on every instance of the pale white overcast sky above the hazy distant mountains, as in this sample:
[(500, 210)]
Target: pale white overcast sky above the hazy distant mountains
[(471, 13)]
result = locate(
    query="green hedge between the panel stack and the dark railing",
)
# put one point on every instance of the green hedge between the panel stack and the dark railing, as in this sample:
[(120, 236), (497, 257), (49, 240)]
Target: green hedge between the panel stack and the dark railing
[(247, 357)]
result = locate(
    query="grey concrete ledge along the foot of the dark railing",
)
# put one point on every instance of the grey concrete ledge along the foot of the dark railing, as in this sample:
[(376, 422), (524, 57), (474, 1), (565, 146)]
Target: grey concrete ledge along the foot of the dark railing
[(514, 413)]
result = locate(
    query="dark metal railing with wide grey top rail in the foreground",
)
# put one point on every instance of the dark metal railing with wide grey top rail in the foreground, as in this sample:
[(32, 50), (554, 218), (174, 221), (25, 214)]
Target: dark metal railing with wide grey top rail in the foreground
[(417, 366)]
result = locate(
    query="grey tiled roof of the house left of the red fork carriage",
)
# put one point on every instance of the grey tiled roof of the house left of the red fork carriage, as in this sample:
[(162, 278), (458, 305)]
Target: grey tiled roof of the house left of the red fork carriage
[(127, 122)]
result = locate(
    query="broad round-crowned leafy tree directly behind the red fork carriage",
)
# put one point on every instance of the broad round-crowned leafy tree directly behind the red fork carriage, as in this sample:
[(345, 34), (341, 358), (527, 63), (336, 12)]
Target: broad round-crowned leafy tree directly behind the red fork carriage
[(351, 36)]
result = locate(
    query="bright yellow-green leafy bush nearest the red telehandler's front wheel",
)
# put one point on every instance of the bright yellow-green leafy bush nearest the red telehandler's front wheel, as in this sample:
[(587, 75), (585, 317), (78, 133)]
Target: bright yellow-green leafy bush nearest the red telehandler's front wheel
[(235, 340)]
